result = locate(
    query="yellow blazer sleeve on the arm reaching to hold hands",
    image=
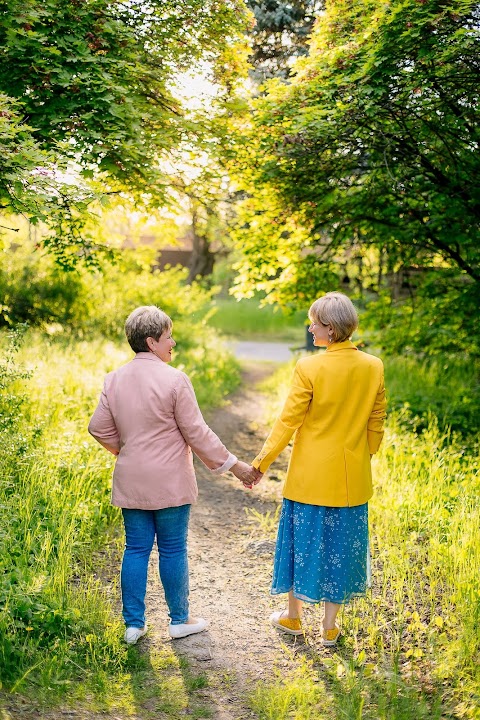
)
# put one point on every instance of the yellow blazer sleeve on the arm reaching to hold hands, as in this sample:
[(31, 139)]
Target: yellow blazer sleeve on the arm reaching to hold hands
[(289, 420)]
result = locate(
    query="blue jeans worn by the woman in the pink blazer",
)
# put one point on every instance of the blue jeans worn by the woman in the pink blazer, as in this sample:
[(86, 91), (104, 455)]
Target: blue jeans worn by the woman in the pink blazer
[(170, 525)]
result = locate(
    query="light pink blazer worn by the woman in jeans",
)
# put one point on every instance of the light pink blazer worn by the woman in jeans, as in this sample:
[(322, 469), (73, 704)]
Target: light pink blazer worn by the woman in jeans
[(148, 412)]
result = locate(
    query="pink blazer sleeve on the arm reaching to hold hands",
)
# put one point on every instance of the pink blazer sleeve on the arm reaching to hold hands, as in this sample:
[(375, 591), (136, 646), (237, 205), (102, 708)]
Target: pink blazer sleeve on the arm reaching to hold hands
[(205, 444)]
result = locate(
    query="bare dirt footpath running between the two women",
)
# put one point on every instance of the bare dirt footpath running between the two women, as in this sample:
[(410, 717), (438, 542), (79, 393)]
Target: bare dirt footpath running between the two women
[(230, 566)]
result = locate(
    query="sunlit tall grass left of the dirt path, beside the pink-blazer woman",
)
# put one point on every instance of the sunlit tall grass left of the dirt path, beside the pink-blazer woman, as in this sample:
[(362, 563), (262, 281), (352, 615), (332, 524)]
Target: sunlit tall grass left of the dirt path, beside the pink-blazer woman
[(60, 628)]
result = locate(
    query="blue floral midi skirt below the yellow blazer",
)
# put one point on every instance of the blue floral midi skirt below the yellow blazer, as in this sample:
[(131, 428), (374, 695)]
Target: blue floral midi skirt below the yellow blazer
[(322, 553)]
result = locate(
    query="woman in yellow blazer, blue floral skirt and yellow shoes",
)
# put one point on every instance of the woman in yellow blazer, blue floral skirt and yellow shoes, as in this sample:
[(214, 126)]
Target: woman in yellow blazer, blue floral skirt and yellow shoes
[(336, 408)]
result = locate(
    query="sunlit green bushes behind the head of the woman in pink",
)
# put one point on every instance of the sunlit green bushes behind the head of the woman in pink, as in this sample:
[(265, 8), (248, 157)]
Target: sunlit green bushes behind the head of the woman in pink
[(84, 305)]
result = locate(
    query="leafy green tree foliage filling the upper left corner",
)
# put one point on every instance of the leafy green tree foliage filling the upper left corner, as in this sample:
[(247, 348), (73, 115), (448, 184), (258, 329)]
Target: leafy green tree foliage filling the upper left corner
[(94, 81)]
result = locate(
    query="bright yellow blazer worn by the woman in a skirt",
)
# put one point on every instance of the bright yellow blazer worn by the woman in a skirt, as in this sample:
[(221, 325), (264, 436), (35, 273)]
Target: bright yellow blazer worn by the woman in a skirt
[(336, 405)]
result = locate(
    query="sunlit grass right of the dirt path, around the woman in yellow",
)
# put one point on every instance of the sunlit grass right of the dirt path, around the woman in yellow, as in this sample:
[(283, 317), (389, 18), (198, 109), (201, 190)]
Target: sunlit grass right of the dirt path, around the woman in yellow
[(412, 649)]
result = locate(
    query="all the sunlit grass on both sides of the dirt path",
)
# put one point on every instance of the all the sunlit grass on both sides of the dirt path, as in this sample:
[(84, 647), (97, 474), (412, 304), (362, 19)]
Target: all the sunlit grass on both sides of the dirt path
[(409, 651)]
